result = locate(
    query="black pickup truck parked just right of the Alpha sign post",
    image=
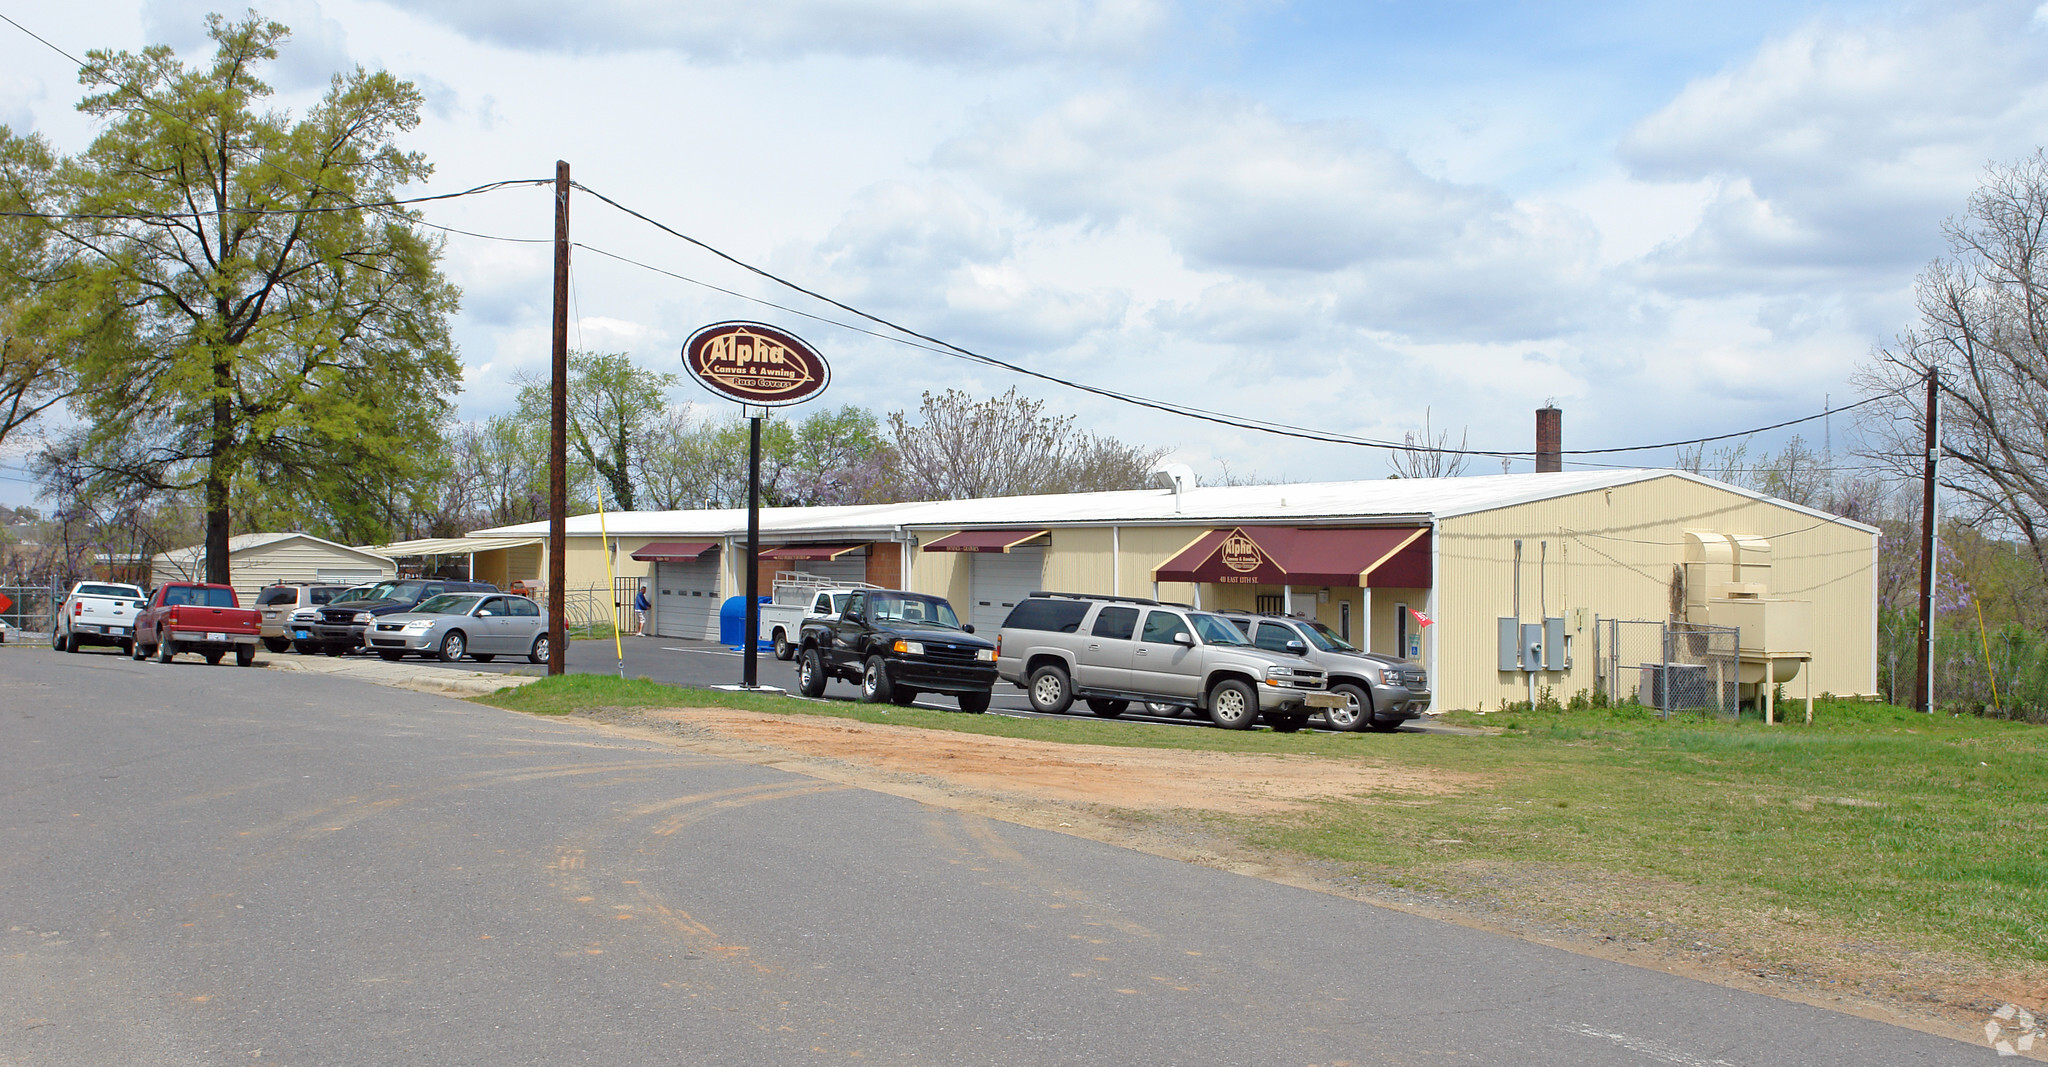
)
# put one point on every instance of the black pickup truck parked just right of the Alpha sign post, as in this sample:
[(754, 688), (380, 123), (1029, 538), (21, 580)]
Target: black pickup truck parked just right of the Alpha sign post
[(898, 646)]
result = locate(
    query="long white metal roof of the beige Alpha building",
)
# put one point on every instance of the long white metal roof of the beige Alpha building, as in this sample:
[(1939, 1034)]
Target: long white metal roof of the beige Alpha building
[(1381, 501)]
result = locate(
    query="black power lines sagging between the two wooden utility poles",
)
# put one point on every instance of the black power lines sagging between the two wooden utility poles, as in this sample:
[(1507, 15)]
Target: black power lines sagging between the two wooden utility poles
[(1224, 419)]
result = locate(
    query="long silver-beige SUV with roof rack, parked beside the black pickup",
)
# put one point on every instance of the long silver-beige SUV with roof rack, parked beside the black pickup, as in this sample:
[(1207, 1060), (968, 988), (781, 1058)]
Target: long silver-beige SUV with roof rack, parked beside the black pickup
[(1115, 650)]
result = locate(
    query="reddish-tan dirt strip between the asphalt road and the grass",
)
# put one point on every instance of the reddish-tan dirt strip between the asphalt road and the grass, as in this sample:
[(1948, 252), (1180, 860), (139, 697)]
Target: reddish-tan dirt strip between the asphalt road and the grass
[(1179, 806)]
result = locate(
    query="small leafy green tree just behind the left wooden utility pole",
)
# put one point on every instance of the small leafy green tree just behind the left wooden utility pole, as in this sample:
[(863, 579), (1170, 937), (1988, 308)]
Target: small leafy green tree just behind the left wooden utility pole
[(613, 407)]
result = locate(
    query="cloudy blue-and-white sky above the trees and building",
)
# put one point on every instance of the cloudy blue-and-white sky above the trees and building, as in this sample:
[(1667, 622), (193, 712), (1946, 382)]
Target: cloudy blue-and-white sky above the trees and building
[(1670, 218)]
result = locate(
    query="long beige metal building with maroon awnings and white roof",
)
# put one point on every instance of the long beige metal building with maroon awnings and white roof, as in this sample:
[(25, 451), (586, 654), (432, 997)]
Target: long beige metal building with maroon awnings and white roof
[(1451, 572)]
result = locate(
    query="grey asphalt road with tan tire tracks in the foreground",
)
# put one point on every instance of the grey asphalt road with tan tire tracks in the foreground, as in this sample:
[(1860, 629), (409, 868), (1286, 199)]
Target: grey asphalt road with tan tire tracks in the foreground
[(220, 865)]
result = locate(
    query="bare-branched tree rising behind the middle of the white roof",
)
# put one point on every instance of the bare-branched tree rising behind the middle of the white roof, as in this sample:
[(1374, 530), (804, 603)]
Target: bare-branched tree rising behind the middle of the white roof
[(1007, 447)]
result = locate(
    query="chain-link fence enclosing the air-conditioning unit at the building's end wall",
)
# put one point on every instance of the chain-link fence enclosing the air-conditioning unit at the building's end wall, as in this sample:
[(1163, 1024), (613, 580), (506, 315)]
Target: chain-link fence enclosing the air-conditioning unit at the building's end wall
[(1670, 667)]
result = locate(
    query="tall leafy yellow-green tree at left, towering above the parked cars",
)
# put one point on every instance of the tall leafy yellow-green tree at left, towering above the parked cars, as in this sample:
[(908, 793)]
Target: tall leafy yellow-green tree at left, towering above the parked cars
[(296, 353)]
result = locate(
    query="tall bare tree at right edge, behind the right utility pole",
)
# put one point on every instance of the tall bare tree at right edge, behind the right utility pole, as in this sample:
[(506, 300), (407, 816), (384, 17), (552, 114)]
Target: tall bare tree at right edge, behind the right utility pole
[(1983, 325)]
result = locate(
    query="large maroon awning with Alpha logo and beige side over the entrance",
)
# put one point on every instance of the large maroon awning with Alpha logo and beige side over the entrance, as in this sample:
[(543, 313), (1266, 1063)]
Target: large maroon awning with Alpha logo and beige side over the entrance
[(1306, 556)]
